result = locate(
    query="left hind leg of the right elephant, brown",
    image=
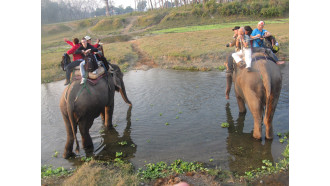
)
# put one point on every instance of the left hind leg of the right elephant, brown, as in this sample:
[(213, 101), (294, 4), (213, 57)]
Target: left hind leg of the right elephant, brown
[(257, 110)]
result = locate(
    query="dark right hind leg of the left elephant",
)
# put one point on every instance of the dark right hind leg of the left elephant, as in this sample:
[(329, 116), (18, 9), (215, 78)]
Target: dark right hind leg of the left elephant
[(84, 126)]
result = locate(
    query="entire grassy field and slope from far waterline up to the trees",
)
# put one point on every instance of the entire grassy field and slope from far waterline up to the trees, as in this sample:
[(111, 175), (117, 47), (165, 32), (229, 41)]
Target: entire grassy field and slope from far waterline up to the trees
[(175, 39)]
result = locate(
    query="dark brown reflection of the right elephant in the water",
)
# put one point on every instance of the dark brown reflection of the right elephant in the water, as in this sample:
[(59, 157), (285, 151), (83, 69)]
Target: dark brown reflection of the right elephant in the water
[(246, 153)]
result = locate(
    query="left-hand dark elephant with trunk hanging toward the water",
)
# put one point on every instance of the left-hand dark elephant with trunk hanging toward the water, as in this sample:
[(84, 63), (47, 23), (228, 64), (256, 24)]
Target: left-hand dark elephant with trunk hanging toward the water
[(81, 104)]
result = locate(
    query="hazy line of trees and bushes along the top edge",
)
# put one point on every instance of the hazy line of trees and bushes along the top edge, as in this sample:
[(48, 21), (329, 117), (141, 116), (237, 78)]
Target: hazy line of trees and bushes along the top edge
[(53, 12)]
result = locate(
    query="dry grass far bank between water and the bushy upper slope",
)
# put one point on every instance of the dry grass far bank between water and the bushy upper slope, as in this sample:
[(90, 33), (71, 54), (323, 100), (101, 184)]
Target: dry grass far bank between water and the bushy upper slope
[(200, 48)]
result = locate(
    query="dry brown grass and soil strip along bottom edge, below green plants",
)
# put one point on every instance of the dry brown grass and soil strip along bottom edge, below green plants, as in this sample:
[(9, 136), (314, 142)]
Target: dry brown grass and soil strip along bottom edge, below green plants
[(101, 173)]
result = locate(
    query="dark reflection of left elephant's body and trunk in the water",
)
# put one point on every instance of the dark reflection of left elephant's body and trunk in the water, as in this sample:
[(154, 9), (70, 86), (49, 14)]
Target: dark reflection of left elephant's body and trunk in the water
[(111, 140)]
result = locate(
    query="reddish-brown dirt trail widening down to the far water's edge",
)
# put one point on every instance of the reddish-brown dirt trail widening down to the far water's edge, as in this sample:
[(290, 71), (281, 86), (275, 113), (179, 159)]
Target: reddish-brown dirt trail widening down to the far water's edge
[(144, 61)]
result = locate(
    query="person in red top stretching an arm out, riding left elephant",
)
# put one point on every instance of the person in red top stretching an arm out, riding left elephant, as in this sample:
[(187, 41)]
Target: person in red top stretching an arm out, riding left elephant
[(77, 58)]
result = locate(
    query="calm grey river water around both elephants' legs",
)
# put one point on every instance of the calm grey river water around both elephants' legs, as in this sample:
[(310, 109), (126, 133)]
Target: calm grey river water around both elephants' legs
[(175, 115)]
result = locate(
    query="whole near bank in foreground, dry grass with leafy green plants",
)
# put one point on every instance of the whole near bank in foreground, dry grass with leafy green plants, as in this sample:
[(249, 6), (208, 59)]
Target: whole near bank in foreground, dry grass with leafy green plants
[(118, 172)]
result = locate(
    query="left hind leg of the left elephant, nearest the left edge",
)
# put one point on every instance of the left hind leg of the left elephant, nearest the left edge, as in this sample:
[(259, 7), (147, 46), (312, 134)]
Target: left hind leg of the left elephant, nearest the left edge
[(69, 139)]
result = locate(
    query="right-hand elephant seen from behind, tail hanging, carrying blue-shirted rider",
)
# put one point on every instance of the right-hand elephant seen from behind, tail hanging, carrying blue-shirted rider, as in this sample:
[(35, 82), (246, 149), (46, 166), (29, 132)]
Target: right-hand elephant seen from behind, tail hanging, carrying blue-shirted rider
[(259, 89)]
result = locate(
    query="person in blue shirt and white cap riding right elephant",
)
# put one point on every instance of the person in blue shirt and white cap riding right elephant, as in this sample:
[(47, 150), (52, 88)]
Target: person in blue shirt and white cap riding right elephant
[(258, 35)]
